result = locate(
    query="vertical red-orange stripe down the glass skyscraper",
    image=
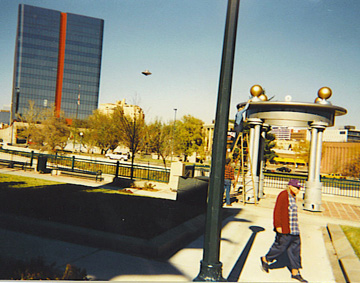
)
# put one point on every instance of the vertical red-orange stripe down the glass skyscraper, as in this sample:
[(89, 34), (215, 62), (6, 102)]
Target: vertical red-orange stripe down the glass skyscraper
[(61, 57)]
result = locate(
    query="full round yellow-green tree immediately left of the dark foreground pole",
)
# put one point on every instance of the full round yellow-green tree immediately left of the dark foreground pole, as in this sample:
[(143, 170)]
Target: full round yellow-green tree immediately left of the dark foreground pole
[(189, 136)]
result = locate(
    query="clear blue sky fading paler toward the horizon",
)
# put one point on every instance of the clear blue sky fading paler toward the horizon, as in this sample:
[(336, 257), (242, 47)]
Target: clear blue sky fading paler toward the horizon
[(290, 47)]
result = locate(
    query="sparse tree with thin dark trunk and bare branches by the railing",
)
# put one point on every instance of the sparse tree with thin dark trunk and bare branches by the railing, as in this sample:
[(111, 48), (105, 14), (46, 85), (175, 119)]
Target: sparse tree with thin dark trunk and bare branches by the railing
[(130, 130)]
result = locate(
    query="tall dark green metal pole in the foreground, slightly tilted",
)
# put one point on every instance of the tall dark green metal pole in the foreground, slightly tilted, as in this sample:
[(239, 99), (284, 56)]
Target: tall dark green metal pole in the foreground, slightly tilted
[(211, 267)]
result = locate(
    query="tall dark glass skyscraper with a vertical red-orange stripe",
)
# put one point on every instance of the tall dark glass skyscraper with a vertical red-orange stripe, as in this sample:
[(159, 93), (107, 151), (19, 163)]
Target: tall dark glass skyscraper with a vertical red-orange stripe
[(57, 62)]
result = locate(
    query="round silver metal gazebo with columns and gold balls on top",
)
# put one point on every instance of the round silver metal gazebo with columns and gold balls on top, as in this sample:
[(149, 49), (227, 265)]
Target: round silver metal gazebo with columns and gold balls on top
[(262, 114)]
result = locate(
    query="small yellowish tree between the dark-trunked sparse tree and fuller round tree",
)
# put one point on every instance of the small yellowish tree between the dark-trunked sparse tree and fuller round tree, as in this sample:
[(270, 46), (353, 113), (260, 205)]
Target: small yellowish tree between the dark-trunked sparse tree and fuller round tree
[(159, 138)]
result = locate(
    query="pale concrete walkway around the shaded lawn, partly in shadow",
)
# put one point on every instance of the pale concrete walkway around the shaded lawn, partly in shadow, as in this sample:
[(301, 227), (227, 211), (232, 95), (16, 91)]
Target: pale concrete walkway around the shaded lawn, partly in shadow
[(244, 238)]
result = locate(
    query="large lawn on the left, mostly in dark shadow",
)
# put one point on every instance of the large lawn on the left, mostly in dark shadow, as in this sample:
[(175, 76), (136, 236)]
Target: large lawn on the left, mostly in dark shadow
[(104, 210)]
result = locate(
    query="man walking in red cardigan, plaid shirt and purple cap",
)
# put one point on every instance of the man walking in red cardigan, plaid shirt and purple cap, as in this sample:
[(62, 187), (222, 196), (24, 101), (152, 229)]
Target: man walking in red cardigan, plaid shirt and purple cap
[(286, 226)]
